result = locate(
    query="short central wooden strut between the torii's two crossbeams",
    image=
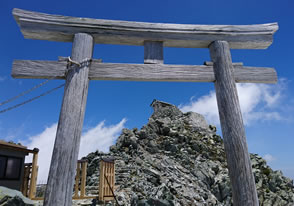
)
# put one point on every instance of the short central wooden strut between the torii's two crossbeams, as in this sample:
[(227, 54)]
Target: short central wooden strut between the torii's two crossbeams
[(153, 52)]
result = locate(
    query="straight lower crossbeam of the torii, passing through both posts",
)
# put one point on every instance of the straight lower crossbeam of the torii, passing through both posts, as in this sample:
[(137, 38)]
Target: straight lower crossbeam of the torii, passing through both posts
[(142, 72)]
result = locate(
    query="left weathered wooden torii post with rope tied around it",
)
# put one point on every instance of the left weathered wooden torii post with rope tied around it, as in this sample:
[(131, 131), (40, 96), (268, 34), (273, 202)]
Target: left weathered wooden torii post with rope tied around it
[(66, 147)]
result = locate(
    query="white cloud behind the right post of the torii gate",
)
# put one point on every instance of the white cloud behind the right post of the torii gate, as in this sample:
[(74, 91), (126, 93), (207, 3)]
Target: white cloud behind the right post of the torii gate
[(257, 101)]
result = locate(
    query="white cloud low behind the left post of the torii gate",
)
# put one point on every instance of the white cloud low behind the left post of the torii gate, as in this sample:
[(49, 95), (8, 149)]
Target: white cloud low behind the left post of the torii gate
[(100, 137)]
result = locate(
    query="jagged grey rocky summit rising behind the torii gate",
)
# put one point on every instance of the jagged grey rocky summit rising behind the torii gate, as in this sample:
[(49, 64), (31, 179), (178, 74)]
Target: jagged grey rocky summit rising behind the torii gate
[(178, 159)]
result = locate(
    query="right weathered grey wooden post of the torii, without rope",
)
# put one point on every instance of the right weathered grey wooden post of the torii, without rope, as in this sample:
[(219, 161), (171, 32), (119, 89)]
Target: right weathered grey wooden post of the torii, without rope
[(240, 171)]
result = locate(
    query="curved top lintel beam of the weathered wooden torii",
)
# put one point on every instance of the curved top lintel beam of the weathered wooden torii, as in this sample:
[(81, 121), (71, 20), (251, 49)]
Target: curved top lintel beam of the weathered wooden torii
[(42, 26)]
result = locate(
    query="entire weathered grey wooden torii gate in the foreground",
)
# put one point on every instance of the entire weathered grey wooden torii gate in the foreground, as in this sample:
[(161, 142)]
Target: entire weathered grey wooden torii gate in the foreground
[(85, 32)]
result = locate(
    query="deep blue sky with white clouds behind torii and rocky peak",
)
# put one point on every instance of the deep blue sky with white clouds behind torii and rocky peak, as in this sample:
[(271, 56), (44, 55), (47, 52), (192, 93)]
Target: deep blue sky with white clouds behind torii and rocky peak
[(267, 109)]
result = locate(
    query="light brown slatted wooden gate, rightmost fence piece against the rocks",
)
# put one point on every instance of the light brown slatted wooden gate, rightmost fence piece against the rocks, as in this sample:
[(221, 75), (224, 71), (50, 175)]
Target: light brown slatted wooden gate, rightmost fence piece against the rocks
[(106, 179)]
